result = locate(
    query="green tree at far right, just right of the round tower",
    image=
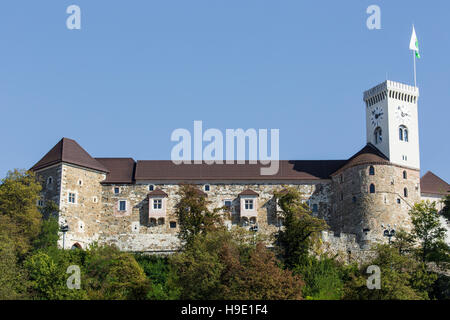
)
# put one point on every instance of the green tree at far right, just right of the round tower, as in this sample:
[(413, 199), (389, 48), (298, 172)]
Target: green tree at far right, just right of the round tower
[(427, 230)]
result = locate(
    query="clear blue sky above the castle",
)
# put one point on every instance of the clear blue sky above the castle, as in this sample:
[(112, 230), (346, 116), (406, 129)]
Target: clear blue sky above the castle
[(139, 69)]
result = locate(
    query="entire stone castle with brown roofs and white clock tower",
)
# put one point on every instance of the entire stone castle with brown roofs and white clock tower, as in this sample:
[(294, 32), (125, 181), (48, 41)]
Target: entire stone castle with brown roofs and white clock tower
[(131, 203)]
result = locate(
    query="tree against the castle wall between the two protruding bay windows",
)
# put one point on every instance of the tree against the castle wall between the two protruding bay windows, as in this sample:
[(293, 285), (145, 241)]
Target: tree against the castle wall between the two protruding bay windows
[(193, 214)]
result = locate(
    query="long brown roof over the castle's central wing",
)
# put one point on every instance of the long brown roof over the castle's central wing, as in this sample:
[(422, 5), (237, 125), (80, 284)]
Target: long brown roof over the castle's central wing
[(148, 170)]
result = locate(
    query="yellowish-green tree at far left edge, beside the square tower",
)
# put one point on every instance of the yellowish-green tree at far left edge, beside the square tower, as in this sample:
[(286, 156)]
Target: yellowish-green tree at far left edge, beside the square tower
[(19, 214)]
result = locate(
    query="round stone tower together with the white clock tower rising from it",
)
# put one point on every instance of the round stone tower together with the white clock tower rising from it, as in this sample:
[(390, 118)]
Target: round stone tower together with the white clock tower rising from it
[(378, 186)]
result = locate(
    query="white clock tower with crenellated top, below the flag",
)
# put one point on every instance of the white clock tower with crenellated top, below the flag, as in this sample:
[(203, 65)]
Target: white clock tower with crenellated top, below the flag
[(392, 122)]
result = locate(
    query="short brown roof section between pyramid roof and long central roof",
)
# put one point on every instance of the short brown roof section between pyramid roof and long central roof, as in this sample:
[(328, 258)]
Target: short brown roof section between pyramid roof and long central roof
[(121, 170)]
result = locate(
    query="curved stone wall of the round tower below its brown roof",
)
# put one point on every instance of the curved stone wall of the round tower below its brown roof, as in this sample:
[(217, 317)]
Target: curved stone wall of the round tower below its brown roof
[(358, 211)]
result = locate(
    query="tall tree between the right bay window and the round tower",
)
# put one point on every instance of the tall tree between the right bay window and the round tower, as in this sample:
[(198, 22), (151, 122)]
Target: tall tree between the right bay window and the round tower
[(300, 228)]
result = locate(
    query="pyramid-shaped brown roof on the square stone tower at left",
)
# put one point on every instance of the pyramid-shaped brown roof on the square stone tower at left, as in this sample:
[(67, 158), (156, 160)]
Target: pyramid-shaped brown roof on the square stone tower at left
[(69, 151)]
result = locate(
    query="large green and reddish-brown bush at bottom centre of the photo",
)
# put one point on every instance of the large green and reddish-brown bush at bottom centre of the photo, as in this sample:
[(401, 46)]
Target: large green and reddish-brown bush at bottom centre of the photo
[(217, 266)]
